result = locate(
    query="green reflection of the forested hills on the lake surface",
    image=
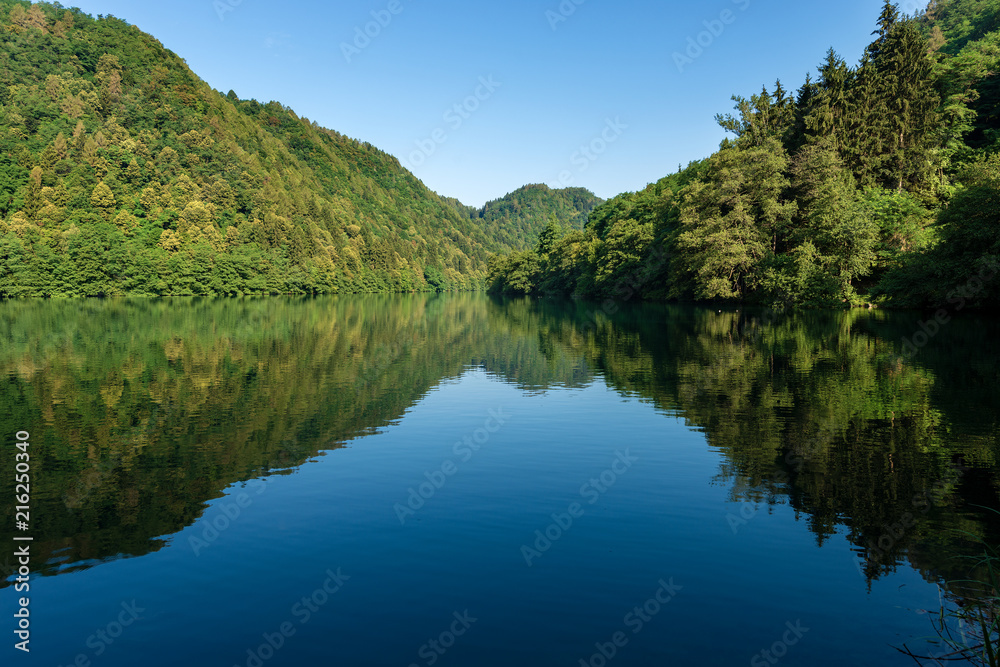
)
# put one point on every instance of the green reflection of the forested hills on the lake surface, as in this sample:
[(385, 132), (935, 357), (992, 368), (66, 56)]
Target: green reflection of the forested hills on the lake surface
[(141, 411)]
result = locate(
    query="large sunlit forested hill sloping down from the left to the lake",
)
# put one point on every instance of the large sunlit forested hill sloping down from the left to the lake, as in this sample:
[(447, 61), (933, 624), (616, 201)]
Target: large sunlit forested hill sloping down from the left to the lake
[(121, 172)]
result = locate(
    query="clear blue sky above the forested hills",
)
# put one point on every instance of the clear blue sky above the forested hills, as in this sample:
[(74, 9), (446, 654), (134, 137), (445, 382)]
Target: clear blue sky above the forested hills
[(564, 71)]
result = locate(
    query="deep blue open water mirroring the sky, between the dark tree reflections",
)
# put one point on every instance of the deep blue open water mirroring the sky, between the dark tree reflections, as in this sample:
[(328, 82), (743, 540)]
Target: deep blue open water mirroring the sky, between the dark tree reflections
[(649, 556)]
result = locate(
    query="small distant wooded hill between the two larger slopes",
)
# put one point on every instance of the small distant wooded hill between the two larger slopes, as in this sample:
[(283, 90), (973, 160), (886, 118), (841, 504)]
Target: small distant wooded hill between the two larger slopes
[(524, 213)]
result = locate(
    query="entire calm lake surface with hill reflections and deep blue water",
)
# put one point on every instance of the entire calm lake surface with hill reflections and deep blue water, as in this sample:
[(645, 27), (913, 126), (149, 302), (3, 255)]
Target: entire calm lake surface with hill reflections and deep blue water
[(461, 480)]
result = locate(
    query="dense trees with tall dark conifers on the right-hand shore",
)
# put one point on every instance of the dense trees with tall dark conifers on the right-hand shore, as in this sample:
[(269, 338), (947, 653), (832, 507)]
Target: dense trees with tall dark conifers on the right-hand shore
[(872, 184)]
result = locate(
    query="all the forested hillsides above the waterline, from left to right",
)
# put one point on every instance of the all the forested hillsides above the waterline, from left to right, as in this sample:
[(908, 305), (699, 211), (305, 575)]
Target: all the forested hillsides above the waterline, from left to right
[(121, 172)]
